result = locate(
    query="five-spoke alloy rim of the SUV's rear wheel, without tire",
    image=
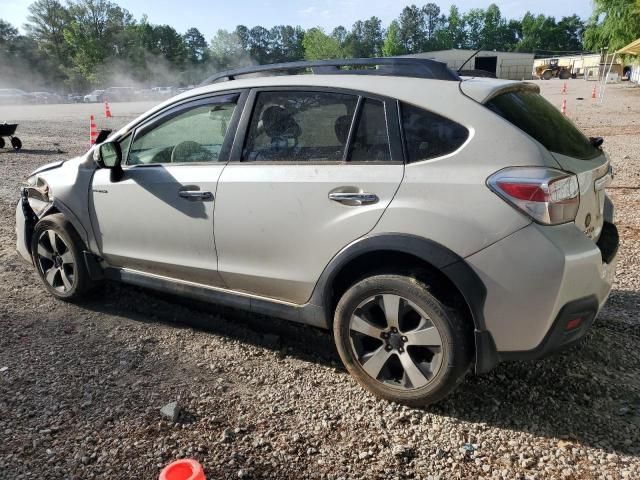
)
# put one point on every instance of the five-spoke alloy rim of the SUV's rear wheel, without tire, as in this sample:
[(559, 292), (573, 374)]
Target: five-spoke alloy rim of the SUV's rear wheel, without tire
[(395, 342)]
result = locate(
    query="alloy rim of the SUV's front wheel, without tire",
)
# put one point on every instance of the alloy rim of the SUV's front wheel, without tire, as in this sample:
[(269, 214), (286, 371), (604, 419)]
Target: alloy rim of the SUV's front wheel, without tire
[(56, 261)]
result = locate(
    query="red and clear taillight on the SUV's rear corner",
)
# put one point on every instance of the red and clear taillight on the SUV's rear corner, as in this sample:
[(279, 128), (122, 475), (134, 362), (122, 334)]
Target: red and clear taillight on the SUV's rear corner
[(547, 195)]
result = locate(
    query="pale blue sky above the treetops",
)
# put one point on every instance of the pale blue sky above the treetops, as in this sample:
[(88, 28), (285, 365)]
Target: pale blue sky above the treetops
[(210, 15)]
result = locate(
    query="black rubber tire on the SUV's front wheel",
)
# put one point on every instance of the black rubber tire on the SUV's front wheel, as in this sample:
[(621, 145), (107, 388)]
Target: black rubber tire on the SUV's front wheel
[(67, 242)]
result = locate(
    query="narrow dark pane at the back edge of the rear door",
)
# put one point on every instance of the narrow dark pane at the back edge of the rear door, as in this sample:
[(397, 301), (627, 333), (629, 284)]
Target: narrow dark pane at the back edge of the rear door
[(371, 141)]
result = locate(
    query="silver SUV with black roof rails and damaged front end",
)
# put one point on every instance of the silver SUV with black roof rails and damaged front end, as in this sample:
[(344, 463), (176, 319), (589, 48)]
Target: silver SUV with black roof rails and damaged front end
[(432, 222)]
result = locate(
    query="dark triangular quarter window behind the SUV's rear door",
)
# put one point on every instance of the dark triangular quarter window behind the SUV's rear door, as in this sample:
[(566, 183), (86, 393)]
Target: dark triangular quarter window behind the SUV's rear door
[(429, 135)]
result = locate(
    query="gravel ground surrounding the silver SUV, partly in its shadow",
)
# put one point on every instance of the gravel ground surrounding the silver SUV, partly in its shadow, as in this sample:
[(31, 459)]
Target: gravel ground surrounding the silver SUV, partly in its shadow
[(81, 386)]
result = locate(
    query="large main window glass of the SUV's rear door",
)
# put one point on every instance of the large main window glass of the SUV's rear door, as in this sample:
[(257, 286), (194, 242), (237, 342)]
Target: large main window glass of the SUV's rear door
[(299, 127)]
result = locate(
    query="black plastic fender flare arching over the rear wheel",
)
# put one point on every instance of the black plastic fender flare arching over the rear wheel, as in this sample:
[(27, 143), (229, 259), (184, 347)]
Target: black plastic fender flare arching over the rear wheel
[(453, 266)]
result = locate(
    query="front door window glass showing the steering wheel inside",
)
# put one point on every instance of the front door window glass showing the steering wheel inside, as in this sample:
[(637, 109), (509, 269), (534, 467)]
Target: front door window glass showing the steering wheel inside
[(194, 135)]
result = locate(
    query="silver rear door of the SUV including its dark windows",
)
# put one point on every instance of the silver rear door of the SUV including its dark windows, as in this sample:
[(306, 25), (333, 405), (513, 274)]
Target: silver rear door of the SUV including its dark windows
[(315, 172)]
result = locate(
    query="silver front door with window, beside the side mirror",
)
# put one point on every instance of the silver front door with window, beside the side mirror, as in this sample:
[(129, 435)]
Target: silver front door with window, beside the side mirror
[(158, 218)]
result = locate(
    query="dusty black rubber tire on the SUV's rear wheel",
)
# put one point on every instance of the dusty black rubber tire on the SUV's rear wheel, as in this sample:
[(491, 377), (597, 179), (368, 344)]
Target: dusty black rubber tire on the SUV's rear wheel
[(455, 351)]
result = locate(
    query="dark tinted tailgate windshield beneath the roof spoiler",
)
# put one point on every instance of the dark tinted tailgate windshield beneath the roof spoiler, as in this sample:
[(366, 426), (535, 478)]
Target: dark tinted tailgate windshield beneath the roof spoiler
[(532, 114)]
